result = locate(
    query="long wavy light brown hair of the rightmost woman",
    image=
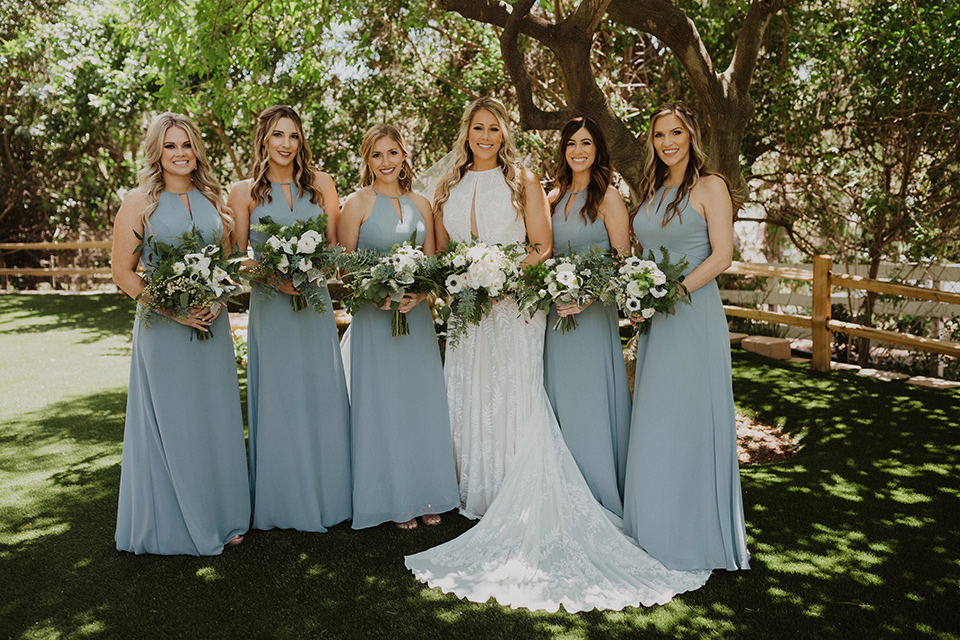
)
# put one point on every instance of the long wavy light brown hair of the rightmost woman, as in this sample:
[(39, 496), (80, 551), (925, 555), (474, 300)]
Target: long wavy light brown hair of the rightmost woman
[(655, 172)]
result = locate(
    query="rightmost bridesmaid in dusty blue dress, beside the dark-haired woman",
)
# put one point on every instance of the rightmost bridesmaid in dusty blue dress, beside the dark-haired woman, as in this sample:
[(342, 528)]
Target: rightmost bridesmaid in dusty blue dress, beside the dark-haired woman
[(682, 497)]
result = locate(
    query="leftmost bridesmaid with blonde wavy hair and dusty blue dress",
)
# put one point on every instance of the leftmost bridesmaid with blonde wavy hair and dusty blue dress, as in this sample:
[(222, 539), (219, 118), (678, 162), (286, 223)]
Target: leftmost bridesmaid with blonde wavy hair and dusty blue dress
[(183, 481)]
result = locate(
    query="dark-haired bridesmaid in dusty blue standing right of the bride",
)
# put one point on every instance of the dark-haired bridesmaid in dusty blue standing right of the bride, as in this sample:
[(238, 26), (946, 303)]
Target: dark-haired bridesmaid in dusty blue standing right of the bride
[(584, 373)]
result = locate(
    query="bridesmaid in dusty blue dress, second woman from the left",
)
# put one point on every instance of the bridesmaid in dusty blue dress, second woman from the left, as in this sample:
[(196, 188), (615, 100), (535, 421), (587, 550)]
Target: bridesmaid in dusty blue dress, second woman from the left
[(297, 408)]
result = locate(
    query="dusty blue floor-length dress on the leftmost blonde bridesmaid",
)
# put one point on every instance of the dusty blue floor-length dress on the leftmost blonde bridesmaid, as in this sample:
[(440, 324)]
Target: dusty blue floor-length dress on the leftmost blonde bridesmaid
[(183, 480)]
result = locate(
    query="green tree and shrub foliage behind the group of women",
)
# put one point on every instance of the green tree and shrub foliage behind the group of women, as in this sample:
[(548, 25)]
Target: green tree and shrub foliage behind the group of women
[(847, 134)]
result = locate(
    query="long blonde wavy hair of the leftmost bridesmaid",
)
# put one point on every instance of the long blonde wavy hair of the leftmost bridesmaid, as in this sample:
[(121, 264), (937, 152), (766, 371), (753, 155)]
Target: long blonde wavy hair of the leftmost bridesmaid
[(151, 175)]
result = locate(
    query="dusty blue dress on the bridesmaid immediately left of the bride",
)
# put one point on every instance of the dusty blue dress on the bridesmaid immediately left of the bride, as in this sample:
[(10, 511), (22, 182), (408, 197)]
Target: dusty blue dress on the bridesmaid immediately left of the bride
[(402, 449)]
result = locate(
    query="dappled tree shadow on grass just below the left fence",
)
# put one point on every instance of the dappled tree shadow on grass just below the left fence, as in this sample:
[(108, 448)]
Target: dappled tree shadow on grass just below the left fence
[(101, 315)]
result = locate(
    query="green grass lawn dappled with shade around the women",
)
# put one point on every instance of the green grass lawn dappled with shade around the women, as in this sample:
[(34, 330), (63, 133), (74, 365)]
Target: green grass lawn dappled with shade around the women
[(858, 536)]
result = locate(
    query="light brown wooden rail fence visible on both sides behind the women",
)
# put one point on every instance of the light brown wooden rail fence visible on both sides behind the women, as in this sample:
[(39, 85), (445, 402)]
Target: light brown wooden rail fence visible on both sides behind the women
[(819, 322)]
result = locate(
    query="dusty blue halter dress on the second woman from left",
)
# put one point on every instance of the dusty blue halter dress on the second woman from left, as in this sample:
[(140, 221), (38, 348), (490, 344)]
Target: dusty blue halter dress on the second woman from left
[(298, 414)]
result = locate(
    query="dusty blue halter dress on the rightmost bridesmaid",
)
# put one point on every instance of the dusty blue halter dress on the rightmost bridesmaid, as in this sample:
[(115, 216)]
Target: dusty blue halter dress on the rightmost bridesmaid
[(682, 497)]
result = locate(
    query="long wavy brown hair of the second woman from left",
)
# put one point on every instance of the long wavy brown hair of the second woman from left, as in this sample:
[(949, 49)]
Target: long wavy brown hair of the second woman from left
[(303, 174)]
